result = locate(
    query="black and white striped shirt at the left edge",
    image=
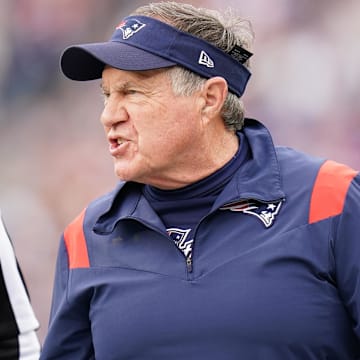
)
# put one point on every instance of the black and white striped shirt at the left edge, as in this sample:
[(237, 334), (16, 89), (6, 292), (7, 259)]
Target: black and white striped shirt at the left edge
[(18, 339)]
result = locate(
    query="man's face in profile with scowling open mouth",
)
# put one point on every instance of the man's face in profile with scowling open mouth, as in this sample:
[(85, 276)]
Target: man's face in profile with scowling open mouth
[(152, 133)]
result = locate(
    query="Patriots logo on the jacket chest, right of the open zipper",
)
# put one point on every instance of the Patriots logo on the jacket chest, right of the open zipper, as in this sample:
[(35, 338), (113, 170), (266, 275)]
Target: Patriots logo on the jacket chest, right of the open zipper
[(265, 212)]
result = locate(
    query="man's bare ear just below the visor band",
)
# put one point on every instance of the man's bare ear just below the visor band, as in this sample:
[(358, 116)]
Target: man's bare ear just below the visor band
[(214, 93)]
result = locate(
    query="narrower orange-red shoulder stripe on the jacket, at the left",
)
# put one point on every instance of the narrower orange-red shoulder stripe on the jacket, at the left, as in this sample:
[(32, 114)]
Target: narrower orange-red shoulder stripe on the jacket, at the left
[(76, 244)]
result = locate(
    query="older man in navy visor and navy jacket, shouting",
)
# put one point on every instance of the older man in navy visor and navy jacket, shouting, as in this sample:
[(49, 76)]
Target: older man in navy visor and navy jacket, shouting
[(215, 244)]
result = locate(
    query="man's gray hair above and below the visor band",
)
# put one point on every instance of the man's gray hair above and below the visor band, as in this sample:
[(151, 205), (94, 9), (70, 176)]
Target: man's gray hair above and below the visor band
[(221, 30)]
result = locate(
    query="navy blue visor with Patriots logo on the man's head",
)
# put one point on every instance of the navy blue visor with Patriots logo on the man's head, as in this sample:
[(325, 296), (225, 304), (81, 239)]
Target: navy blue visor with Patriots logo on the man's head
[(144, 43)]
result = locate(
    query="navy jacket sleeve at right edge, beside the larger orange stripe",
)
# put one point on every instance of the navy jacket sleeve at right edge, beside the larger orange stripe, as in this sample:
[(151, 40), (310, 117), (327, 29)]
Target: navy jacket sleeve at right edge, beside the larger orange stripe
[(346, 246)]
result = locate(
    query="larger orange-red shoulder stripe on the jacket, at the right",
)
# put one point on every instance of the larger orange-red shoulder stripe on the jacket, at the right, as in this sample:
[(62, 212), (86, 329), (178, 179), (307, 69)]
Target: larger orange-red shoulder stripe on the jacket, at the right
[(329, 191)]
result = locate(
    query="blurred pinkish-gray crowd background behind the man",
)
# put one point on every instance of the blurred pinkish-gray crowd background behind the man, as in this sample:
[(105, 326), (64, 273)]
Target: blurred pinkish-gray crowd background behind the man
[(54, 159)]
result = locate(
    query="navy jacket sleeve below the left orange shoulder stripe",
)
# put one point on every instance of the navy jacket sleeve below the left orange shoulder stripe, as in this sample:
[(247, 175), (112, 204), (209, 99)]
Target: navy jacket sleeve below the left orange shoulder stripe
[(69, 332)]
